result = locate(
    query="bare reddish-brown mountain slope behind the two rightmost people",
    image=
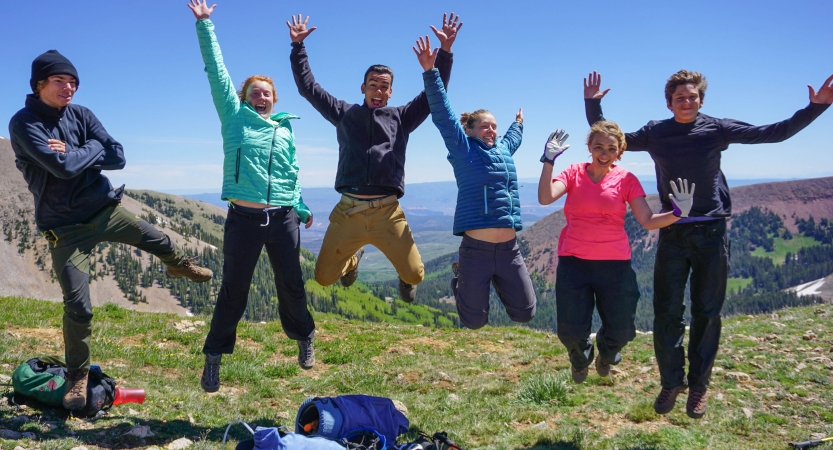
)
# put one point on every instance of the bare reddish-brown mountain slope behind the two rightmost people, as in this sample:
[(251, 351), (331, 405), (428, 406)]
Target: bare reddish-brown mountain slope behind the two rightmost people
[(789, 199)]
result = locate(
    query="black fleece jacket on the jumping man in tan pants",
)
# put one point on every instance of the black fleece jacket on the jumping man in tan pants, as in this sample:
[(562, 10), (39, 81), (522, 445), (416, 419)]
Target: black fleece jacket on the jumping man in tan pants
[(371, 142)]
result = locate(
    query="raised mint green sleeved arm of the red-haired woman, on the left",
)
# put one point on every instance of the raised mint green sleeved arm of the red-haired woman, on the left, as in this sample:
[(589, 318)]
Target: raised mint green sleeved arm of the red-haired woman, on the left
[(225, 98)]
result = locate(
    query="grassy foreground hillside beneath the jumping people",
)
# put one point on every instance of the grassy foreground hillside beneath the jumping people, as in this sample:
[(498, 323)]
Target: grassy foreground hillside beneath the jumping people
[(490, 388)]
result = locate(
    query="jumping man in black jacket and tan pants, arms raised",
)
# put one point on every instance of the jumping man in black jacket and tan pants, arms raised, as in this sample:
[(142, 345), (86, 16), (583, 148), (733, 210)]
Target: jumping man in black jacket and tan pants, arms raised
[(372, 138)]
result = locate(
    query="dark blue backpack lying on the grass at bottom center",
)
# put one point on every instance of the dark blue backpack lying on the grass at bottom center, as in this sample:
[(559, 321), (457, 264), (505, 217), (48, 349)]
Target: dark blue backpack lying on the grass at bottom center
[(359, 418)]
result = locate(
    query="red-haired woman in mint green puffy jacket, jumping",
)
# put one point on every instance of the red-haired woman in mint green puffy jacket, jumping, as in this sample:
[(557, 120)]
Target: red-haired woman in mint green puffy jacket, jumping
[(260, 182)]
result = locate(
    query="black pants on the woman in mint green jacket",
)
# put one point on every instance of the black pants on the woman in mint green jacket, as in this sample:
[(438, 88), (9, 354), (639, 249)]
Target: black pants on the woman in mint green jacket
[(245, 235)]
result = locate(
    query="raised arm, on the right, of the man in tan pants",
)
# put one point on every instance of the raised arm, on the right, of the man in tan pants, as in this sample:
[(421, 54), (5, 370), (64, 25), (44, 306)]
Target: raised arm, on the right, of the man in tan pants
[(417, 110)]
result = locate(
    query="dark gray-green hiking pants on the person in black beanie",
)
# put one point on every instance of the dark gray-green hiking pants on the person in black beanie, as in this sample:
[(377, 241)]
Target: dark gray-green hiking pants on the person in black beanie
[(71, 246)]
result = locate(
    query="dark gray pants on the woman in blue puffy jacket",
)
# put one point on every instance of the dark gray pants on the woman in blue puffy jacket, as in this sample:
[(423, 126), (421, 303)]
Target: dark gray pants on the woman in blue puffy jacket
[(501, 265)]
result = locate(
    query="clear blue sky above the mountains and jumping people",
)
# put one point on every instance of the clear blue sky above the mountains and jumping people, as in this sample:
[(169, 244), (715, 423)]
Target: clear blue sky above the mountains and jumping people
[(142, 75)]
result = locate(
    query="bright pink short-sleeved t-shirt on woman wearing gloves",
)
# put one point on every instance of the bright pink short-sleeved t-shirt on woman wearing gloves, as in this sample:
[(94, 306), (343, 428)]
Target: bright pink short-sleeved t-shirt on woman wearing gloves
[(596, 213)]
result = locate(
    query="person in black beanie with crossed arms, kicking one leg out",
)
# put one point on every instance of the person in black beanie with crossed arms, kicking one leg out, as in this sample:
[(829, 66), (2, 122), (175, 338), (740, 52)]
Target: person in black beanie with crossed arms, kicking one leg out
[(61, 149)]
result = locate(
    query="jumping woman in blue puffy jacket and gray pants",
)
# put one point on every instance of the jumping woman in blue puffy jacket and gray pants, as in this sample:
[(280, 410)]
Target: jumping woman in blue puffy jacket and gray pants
[(488, 212)]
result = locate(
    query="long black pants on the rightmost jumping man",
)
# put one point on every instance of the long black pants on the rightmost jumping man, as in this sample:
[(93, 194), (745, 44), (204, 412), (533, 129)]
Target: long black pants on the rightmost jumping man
[(701, 249)]
